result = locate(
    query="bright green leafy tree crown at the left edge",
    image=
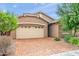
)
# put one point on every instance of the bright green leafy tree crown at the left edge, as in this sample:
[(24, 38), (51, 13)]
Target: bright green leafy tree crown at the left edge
[(8, 22)]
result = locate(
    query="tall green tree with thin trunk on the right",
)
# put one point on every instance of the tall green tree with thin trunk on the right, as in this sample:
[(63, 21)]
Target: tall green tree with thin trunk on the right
[(69, 14)]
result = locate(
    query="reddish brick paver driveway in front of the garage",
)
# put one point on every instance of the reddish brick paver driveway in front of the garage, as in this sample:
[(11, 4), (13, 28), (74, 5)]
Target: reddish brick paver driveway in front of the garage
[(45, 46)]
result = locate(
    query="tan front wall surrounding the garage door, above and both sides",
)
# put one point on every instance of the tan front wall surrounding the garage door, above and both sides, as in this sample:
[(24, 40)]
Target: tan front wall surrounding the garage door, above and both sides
[(32, 20)]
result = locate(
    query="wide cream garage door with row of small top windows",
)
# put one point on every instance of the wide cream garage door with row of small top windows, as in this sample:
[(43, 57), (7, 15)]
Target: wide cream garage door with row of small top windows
[(29, 32)]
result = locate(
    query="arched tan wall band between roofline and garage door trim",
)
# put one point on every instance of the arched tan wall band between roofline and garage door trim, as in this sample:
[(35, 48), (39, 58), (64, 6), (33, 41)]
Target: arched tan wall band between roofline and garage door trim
[(32, 19)]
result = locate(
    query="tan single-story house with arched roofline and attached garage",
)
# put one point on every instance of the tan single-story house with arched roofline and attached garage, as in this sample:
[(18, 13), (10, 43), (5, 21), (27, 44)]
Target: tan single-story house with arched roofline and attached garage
[(37, 25)]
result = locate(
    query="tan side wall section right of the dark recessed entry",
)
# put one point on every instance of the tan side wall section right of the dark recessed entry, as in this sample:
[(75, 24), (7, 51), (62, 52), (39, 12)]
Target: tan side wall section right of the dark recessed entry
[(54, 30)]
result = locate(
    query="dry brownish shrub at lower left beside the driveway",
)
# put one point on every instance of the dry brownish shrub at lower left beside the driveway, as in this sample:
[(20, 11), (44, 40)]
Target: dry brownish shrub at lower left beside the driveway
[(5, 46)]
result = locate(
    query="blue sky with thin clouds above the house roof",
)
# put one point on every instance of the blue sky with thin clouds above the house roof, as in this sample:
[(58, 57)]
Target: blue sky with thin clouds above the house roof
[(20, 8)]
